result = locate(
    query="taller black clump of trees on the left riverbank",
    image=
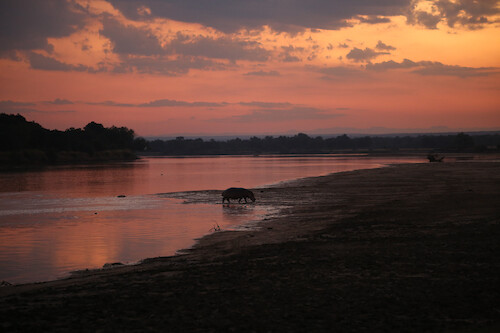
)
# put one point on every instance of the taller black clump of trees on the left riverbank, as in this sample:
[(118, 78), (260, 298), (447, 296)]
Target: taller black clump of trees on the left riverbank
[(23, 142)]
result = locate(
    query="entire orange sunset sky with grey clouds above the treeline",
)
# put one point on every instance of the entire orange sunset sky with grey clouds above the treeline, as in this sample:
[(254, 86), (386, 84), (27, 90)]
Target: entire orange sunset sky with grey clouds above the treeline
[(226, 67)]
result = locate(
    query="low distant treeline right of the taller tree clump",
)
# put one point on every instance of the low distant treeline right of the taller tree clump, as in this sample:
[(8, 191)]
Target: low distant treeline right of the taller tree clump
[(304, 144)]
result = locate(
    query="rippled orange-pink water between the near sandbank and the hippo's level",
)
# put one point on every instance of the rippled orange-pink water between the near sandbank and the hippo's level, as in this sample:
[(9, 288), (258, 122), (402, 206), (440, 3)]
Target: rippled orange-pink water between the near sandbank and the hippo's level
[(46, 238)]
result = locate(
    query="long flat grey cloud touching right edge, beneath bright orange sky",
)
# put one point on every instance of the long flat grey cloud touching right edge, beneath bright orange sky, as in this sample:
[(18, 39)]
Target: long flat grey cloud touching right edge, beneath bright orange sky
[(434, 68)]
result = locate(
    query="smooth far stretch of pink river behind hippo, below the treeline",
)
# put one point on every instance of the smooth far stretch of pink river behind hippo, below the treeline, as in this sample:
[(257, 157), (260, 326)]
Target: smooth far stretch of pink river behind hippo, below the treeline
[(162, 175)]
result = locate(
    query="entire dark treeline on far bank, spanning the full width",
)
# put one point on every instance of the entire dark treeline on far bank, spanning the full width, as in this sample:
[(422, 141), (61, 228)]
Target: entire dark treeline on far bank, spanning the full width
[(28, 143)]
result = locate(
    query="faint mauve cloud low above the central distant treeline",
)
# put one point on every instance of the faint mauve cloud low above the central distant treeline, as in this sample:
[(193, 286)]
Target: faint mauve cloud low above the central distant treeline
[(281, 115)]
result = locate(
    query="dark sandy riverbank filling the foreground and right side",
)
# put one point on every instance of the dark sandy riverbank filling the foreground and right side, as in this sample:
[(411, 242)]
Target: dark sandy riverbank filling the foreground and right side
[(404, 248)]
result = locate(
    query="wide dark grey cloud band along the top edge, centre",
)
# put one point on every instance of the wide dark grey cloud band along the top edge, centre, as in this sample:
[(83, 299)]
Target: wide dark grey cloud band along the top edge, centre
[(287, 15)]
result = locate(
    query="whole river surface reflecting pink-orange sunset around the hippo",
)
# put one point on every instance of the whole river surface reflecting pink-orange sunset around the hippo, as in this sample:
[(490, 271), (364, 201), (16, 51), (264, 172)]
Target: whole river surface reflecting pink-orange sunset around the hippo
[(60, 219)]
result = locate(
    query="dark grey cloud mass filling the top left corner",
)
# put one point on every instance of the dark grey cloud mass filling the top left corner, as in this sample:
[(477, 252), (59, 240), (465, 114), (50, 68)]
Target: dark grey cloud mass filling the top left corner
[(26, 24)]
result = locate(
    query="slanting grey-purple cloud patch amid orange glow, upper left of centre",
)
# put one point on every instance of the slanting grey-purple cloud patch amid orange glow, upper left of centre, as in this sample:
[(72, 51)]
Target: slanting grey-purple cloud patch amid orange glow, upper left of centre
[(128, 39)]
